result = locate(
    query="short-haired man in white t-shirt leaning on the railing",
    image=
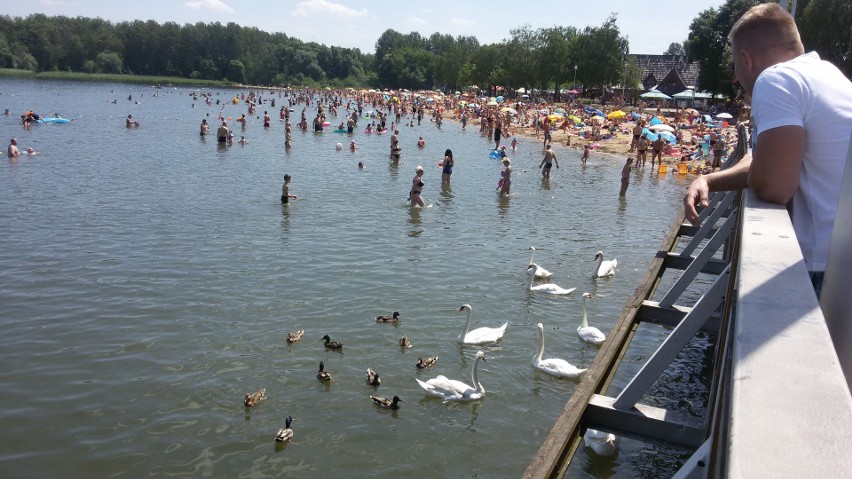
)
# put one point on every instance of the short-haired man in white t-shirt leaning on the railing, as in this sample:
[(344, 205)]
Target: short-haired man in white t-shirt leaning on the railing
[(802, 109)]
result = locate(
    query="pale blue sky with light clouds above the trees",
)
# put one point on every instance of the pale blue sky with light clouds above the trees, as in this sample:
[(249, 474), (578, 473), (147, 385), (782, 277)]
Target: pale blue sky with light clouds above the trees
[(650, 27)]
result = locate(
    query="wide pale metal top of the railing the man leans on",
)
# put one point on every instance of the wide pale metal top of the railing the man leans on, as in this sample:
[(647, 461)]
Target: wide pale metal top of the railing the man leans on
[(790, 408)]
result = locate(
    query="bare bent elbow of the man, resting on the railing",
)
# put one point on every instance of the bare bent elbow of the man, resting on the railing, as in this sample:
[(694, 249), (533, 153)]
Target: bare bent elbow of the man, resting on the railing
[(774, 174)]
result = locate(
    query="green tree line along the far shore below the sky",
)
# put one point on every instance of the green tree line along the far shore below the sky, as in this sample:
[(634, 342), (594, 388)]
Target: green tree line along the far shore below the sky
[(543, 58)]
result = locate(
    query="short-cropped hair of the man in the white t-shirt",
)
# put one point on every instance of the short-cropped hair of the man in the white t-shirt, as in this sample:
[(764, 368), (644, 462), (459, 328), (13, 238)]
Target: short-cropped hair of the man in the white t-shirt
[(764, 27)]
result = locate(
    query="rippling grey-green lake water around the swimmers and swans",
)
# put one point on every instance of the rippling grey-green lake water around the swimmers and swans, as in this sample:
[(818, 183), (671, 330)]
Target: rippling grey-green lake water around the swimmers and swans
[(148, 279)]
